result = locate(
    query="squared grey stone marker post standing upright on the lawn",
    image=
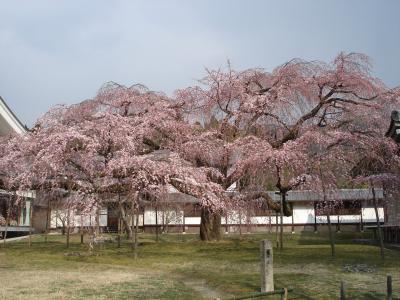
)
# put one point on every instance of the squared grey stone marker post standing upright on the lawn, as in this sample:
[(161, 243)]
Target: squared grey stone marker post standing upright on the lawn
[(267, 268)]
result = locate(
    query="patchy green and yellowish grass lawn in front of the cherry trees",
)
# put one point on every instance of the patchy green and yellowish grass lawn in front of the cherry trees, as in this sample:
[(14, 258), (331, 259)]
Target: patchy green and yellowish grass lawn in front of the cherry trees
[(182, 267)]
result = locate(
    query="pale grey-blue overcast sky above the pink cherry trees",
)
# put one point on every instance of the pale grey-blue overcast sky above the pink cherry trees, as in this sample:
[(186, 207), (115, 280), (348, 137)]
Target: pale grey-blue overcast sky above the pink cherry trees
[(63, 51)]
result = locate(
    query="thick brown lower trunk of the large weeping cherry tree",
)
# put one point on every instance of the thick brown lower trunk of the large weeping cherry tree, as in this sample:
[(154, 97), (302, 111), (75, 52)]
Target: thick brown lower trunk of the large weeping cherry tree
[(210, 226)]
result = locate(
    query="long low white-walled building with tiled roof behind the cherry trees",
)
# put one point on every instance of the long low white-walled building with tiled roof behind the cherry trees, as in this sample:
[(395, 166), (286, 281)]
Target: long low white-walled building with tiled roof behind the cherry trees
[(182, 214)]
